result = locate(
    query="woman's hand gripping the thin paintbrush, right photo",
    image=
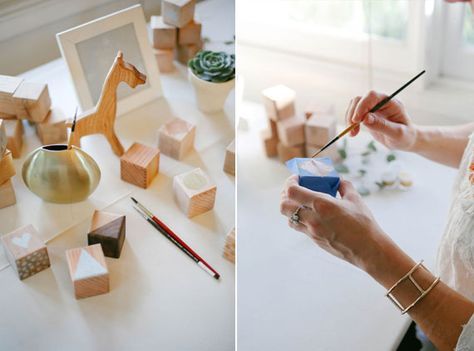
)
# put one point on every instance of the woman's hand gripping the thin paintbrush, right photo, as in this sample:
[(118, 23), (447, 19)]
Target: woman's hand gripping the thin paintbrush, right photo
[(390, 125)]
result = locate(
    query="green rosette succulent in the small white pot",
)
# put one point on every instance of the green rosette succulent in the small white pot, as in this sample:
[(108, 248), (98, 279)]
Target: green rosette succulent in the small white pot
[(212, 66)]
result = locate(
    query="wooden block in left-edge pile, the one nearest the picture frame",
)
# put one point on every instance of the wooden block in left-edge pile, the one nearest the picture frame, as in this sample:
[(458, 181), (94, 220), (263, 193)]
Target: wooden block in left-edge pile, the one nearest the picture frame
[(35, 99)]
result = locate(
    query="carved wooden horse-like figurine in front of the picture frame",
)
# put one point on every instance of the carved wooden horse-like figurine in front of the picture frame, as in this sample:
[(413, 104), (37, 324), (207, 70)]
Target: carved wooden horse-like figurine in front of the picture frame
[(101, 118)]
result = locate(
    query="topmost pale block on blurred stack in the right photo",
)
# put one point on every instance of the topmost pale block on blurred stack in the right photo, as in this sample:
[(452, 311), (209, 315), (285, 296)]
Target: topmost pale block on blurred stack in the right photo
[(279, 102)]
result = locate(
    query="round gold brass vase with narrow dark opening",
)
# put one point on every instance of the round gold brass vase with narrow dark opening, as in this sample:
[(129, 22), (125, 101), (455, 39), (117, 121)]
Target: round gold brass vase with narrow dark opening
[(61, 175)]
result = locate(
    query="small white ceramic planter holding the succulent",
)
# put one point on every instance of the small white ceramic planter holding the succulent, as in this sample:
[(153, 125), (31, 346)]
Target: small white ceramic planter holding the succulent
[(210, 96)]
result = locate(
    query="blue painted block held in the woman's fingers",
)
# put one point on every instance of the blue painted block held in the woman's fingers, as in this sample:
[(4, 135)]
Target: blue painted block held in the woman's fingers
[(317, 174)]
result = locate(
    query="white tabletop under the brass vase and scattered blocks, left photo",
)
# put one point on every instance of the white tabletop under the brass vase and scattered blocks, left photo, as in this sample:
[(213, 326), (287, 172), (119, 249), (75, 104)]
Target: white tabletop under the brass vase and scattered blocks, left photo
[(159, 298)]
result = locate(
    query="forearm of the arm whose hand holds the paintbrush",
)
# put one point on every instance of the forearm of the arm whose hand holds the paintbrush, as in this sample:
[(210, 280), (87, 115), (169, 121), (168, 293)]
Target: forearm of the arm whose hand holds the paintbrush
[(442, 144)]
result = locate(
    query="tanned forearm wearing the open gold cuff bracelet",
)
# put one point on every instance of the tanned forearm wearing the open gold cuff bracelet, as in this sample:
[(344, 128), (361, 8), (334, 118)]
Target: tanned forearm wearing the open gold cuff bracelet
[(440, 314)]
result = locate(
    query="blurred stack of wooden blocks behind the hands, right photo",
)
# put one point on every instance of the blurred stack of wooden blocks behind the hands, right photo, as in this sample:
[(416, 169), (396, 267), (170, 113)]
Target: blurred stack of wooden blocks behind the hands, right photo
[(291, 134)]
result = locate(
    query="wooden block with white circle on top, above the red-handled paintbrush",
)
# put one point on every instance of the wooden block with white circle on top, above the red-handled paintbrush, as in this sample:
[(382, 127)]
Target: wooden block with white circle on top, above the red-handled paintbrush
[(194, 192)]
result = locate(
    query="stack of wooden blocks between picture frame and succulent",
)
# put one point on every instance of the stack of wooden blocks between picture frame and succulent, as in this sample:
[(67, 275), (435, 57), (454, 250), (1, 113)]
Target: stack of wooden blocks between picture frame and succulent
[(176, 34)]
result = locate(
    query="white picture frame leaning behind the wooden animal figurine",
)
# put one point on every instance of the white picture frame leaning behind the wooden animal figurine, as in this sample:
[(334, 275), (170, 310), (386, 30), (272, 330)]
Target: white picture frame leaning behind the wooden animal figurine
[(90, 49)]
